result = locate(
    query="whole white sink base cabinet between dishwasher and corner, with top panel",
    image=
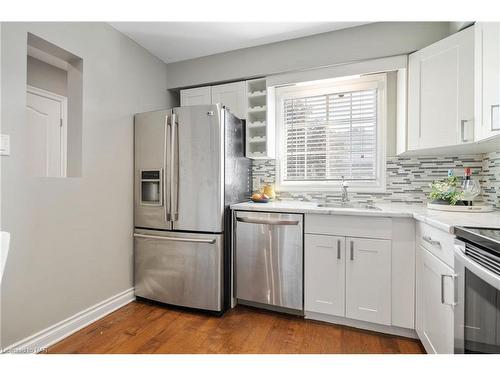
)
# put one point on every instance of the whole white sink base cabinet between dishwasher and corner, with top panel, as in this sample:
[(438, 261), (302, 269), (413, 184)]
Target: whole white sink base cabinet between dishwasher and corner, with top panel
[(360, 271)]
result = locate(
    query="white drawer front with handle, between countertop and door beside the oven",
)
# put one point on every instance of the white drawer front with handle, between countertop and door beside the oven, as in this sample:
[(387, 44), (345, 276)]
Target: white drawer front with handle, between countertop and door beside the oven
[(438, 242)]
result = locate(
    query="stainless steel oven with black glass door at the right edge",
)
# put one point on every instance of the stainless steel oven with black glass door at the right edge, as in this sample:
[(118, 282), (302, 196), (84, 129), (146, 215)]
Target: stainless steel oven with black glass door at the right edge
[(477, 309)]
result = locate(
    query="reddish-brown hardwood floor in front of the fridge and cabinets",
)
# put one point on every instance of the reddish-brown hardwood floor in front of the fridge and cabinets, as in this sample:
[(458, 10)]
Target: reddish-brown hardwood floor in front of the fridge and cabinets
[(142, 327)]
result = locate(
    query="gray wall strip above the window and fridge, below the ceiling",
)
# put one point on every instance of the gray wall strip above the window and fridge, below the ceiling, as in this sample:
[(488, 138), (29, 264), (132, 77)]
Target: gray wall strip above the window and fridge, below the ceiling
[(358, 43)]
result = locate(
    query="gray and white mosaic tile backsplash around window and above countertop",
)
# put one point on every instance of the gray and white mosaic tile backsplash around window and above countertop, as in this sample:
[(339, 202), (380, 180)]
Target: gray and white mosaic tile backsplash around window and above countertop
[(408, 178)]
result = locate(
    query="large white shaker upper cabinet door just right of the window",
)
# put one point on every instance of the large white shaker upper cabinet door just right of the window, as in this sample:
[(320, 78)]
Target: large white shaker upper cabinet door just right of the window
[(441, 93)]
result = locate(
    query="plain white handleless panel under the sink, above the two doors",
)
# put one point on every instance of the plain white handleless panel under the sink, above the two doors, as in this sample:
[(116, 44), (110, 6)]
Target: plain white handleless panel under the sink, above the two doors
[(344, 225)]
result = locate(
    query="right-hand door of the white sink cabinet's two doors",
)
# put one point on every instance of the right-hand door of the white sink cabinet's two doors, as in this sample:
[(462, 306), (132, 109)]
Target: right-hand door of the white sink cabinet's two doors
[(368, 280)]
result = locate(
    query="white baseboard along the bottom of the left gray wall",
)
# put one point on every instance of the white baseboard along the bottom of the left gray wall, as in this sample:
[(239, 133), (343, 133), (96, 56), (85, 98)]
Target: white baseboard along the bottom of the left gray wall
[(49, 336)]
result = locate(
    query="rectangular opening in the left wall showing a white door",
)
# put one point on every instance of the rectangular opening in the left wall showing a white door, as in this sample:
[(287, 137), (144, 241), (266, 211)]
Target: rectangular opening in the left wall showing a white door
[(53, 110)]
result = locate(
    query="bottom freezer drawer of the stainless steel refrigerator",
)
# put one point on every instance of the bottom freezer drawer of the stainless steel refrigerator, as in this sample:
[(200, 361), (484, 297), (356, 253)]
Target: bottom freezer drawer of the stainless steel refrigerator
[(179, 269)]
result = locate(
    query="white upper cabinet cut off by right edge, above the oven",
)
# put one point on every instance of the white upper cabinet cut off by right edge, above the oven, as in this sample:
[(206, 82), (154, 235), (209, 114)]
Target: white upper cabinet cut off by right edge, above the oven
[(487, 79)]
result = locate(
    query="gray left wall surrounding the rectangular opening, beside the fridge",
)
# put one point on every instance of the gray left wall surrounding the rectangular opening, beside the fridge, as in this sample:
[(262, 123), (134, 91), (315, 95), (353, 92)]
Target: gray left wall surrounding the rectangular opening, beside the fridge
[(71, 243)]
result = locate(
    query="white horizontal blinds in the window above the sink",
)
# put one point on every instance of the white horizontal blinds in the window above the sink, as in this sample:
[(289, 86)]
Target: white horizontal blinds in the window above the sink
[(330, 136)]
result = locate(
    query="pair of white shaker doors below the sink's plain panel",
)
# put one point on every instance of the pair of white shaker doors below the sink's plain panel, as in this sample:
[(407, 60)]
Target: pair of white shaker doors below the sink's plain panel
[(348, 277)]
